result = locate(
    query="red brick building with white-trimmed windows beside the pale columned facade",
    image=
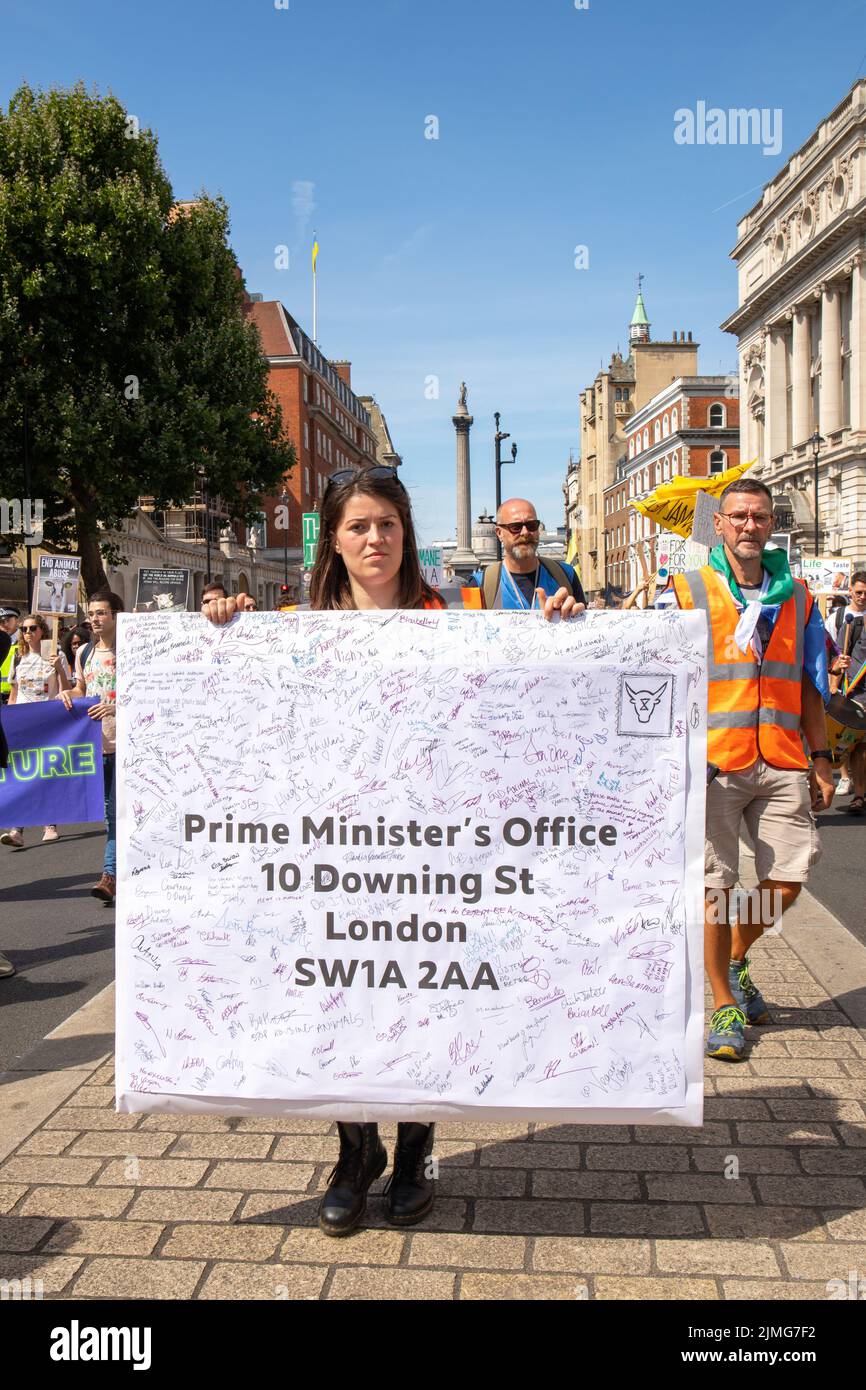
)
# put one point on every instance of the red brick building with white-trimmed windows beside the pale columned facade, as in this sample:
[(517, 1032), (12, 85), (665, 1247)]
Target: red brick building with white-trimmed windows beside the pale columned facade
[(690, 429)]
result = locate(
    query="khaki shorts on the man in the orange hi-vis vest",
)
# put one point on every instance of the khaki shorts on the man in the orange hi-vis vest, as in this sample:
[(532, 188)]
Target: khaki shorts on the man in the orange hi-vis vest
[(776, 808)]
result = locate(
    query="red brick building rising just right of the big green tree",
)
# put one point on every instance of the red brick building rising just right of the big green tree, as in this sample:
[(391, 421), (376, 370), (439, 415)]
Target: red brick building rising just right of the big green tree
[(322, 415)]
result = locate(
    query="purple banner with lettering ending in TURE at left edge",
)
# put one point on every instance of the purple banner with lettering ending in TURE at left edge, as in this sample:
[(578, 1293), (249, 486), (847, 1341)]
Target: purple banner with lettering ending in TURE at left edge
[(55, 775)]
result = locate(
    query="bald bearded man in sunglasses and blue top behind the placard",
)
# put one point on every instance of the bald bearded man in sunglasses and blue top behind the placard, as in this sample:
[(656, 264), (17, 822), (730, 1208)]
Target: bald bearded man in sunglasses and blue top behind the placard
[(523, 580)]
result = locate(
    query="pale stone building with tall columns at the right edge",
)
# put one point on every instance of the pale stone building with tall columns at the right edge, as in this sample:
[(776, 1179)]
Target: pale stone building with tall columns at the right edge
[(801, 330)]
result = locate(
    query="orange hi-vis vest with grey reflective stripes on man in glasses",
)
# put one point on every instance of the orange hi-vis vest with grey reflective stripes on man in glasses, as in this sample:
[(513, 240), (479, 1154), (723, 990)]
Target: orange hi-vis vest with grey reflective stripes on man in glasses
[(754, 707)]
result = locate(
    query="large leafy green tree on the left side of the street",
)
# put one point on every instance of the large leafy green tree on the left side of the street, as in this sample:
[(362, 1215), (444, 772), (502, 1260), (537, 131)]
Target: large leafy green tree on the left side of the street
[(124, 352)]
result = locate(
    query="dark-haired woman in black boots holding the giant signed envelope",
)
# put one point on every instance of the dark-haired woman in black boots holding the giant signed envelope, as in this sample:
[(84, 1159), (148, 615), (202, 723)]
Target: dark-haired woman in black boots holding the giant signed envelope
[(368, 559)]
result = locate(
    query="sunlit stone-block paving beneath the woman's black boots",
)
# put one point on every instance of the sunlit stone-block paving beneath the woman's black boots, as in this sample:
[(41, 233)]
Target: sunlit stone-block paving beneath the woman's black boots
[(767, 1202)]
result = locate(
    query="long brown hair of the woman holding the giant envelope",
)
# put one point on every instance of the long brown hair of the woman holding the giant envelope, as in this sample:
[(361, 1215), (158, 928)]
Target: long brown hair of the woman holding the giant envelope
[(330, 586)]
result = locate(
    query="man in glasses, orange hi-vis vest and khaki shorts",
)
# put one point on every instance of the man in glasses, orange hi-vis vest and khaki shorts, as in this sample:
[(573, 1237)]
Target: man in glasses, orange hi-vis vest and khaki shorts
[(768, 687)]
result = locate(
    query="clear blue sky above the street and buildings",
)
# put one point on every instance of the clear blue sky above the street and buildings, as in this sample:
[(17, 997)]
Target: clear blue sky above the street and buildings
[(455, 258)]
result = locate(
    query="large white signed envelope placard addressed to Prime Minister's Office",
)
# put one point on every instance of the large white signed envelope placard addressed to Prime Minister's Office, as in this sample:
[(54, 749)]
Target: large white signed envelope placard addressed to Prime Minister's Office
[(412, 865)]
